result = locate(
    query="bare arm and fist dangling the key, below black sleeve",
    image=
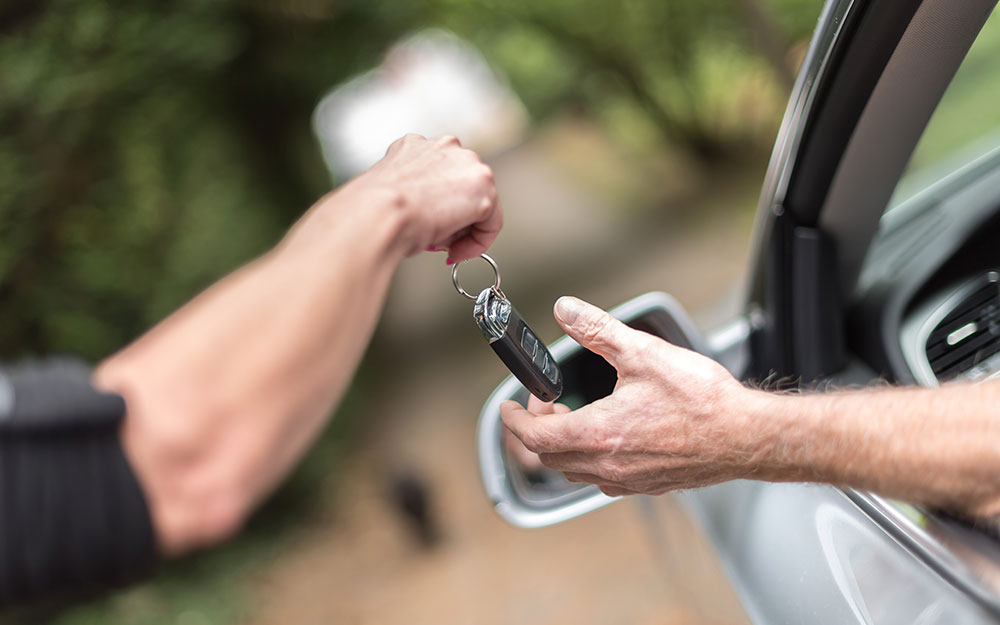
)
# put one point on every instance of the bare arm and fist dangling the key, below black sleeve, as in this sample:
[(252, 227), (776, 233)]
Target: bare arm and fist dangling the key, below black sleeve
[(226, 394)]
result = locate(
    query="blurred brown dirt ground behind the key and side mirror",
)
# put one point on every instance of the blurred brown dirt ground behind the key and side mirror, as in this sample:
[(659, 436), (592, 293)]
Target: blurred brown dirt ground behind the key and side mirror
[(362, 565)]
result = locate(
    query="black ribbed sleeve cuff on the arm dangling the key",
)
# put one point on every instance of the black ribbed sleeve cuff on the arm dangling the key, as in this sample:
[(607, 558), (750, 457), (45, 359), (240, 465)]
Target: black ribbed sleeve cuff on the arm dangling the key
[(73, 520)]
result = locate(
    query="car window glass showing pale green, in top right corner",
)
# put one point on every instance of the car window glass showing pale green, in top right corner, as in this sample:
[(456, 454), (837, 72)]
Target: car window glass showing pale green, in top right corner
[(966, 124)]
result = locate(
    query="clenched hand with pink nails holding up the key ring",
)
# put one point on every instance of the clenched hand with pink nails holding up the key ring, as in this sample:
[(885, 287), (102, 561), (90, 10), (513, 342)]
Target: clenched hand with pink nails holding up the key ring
[(444, 193)]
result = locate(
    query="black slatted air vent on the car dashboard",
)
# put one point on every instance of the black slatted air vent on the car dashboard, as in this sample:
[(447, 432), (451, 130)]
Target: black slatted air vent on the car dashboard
[(966, 340)]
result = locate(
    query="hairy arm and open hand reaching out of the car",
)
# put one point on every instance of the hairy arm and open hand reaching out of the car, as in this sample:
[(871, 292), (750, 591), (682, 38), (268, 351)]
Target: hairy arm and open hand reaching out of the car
[(679, 420)]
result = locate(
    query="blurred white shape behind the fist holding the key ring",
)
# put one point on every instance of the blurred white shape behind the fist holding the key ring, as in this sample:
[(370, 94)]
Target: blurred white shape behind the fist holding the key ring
[(431, 83)]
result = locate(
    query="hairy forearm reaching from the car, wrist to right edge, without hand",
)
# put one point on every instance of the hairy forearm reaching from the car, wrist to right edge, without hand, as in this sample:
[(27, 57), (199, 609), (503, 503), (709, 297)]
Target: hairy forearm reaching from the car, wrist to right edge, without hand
[(940, 447)]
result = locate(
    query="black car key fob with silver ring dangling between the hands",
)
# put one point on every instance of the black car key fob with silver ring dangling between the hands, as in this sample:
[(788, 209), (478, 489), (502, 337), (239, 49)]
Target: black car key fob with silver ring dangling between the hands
[(512, 339)]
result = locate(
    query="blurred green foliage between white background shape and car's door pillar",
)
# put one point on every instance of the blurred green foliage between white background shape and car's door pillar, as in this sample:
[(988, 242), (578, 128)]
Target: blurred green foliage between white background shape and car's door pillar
[(675, 67)]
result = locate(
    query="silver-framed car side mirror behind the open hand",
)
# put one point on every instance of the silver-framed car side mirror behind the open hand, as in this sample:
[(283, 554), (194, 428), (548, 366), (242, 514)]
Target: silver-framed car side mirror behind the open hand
[(527, 496)]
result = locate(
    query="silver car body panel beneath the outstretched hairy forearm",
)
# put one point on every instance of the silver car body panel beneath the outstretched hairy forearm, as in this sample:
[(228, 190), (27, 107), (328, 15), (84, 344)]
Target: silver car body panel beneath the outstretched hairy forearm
[(799, 553)]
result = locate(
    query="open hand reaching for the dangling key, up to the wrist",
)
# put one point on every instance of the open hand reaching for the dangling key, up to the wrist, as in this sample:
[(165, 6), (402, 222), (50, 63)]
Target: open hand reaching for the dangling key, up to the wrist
[(676, 419)]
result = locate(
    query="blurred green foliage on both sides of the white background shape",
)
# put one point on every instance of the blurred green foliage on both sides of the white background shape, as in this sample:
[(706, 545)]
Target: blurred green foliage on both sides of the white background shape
[(146, 148)]
